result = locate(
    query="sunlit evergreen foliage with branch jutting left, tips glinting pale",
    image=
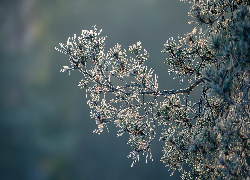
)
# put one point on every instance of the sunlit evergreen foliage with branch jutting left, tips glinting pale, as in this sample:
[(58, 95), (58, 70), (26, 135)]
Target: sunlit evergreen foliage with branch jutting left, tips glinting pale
[(211, 135)]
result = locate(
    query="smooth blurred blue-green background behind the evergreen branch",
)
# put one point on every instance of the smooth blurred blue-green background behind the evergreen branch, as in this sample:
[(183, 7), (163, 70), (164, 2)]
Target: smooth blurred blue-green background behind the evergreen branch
[(46, 132)]
